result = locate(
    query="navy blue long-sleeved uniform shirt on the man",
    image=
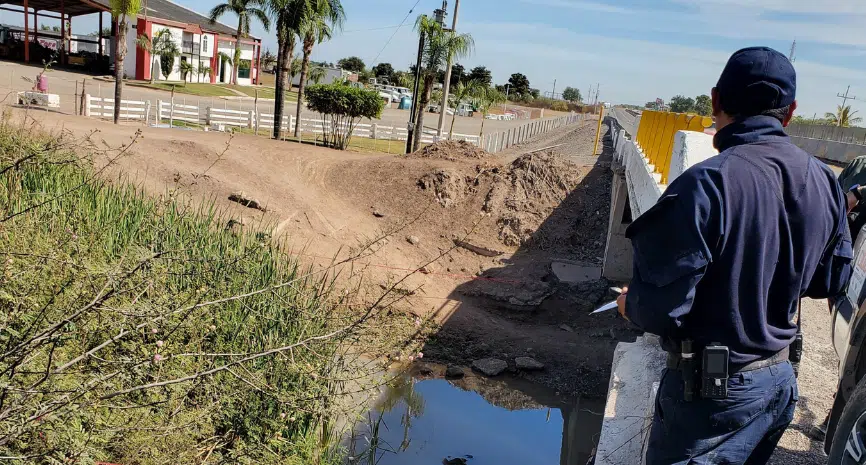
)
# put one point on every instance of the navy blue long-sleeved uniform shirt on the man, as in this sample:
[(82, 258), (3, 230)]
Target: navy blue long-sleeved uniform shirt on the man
[(735, 241)]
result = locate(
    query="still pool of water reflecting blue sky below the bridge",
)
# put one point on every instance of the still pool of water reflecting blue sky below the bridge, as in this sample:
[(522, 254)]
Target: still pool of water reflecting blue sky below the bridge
[(426, 419)]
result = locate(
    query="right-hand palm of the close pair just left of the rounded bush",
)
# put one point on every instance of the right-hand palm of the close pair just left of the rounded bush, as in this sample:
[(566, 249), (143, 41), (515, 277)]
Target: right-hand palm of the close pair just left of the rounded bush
[(317, 24)]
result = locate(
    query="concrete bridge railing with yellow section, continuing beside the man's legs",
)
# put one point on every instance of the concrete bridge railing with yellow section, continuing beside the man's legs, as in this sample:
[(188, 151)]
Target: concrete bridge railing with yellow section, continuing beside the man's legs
[(640, 176)]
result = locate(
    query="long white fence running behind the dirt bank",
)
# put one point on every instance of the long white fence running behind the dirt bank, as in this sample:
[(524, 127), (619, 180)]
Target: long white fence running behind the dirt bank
[(223, 119)]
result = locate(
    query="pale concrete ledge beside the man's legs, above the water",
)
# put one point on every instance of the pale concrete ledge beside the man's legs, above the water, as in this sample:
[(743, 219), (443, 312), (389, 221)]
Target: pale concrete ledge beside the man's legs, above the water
[(635, 375)]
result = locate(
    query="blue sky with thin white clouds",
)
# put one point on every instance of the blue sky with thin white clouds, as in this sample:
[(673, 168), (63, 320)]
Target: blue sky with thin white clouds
[(637, 49)]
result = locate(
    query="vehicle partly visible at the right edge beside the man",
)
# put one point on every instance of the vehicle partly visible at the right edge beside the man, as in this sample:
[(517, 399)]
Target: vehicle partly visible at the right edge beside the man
[(845, 441)]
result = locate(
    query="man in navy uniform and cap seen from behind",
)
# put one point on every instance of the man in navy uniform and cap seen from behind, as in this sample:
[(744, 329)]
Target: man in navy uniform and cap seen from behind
[(723, 258)]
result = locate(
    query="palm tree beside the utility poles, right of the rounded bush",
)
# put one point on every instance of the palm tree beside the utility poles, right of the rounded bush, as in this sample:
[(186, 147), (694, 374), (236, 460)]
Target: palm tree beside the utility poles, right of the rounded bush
[(440, 47)]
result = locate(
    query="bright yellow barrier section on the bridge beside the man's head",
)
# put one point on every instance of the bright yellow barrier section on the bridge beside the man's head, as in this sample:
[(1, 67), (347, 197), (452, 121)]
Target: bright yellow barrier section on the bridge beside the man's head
[(655, 135)]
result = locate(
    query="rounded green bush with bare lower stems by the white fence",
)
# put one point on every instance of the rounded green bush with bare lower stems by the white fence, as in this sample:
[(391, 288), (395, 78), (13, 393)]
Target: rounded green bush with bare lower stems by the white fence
[(341, 107)]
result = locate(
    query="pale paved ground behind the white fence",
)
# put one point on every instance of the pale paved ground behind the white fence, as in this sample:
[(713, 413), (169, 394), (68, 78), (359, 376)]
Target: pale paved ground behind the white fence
[(64, 84)]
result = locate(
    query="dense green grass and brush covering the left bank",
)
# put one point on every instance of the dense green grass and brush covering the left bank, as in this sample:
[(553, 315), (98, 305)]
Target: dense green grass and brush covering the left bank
[(143, 330)]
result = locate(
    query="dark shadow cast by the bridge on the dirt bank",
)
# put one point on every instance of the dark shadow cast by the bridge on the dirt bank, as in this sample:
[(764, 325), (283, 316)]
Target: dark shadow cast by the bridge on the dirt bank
[(520, 307)]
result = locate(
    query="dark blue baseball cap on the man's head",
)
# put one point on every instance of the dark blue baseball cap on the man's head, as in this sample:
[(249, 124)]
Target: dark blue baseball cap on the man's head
[(756, 79)]
